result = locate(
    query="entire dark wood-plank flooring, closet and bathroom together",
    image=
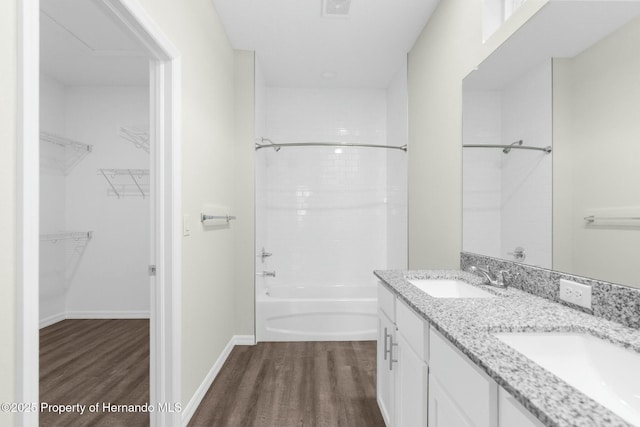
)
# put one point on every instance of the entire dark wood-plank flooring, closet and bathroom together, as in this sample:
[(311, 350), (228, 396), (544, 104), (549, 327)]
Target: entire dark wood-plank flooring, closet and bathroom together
[(328, 384)]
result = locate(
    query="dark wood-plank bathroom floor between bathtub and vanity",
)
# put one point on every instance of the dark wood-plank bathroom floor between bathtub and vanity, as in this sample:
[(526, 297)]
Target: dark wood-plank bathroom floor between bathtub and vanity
[(328, 384)]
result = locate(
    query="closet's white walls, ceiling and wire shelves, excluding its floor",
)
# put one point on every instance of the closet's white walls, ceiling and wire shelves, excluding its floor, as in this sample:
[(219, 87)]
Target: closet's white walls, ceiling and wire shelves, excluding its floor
[(94, 174)]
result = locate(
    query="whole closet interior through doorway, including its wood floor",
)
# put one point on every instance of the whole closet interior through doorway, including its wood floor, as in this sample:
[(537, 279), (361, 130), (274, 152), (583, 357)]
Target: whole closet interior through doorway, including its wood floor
[(95, 215)]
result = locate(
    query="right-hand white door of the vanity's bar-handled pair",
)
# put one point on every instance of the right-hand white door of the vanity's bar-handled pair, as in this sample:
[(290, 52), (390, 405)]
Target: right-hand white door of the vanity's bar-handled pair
[(411, 385)]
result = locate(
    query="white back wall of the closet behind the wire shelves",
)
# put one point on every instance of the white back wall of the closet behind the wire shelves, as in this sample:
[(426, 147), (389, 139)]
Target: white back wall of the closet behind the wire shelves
[(111, 275)]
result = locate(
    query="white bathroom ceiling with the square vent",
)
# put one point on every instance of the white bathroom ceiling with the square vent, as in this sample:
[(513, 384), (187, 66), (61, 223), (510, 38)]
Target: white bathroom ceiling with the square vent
[(296, 46)]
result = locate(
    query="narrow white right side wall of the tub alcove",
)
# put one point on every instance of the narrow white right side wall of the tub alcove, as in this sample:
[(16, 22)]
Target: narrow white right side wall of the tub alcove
[(397, 135)]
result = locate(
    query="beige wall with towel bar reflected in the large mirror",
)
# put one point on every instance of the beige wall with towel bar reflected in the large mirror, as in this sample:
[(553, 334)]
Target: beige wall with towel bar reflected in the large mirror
[(596, 162)]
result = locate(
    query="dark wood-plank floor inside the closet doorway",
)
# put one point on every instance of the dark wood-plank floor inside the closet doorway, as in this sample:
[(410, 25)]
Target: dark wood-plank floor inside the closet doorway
[(95, 361)]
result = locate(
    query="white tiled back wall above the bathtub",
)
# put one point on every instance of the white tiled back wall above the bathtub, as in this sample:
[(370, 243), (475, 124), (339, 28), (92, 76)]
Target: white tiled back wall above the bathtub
[(326, 211)]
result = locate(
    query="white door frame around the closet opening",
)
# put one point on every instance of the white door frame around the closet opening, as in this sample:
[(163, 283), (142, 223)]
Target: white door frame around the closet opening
[(165, 295)]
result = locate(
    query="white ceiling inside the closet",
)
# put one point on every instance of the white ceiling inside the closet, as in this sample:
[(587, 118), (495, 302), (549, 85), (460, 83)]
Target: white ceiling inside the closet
[(80, 45)]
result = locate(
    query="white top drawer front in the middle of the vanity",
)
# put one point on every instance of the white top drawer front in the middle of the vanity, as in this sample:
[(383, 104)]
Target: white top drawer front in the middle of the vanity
[(473, 391)]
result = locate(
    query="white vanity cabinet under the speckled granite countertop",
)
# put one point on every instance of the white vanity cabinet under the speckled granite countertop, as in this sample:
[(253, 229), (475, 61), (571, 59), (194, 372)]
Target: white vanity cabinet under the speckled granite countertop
[(424, 380)]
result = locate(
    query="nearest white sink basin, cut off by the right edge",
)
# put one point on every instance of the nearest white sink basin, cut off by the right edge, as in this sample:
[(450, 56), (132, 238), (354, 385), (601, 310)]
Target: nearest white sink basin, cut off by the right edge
[(607, 373)]
